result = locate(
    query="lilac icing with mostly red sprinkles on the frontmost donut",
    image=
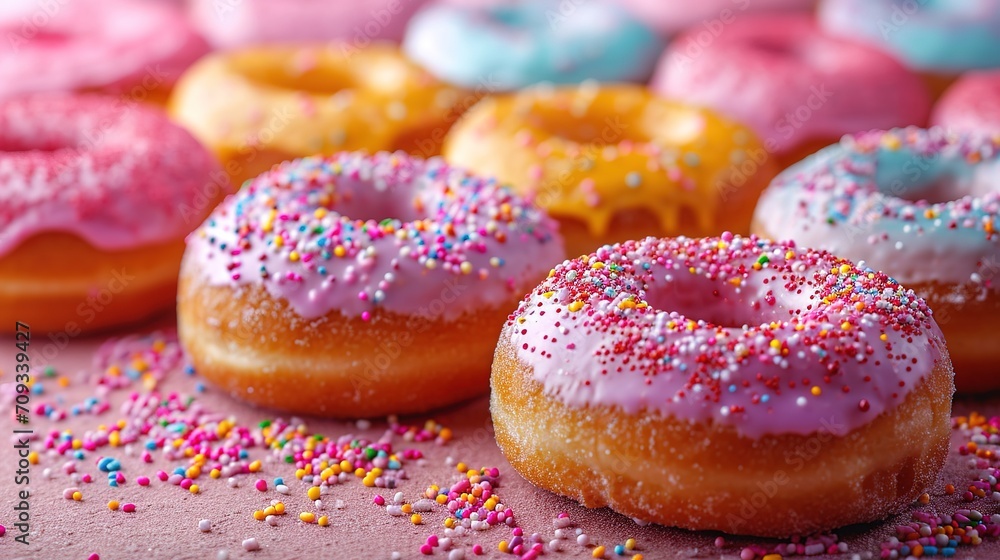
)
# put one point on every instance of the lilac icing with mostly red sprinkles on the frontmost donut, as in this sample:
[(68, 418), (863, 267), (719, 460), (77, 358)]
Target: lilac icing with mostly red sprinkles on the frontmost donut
[(654, 326)]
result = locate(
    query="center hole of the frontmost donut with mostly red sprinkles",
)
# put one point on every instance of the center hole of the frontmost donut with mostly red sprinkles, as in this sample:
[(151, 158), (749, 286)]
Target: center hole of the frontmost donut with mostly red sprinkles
[(714, 301)]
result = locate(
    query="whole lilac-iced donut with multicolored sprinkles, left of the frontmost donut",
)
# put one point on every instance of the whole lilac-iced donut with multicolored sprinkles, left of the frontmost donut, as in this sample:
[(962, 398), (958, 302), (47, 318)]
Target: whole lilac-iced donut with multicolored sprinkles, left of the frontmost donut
[(372, 280)]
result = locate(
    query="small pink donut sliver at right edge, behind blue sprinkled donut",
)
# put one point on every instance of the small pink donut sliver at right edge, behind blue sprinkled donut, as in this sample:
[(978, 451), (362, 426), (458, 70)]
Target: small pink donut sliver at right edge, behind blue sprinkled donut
[(972, 104)]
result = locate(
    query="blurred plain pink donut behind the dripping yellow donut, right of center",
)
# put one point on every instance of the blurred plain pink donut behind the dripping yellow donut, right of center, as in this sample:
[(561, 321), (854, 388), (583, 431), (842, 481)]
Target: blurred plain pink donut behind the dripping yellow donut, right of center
[(799, 89)]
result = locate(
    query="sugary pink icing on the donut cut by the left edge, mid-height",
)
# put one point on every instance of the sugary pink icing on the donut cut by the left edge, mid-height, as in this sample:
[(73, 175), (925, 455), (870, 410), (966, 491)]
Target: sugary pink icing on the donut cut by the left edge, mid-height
[(118, 175)]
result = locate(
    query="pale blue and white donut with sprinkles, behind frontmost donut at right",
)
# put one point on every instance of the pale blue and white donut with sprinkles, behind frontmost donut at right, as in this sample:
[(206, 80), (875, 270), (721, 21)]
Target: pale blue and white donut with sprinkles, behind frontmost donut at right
[(922, 205)]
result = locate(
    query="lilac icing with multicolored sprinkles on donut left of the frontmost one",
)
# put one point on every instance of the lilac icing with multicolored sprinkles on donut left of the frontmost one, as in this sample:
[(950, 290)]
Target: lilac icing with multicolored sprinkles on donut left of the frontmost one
[(356, 233)]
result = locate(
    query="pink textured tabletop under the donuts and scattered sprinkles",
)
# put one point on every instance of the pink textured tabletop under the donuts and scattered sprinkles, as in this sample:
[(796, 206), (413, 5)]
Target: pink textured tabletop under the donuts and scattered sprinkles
[(165, 524)]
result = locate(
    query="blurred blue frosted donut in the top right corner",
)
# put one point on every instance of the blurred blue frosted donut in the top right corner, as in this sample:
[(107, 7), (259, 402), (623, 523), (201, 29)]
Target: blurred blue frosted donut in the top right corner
[(939, 36)]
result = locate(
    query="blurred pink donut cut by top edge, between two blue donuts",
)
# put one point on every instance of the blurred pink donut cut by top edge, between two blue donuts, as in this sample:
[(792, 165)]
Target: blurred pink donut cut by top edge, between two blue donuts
[(670, 18)]
